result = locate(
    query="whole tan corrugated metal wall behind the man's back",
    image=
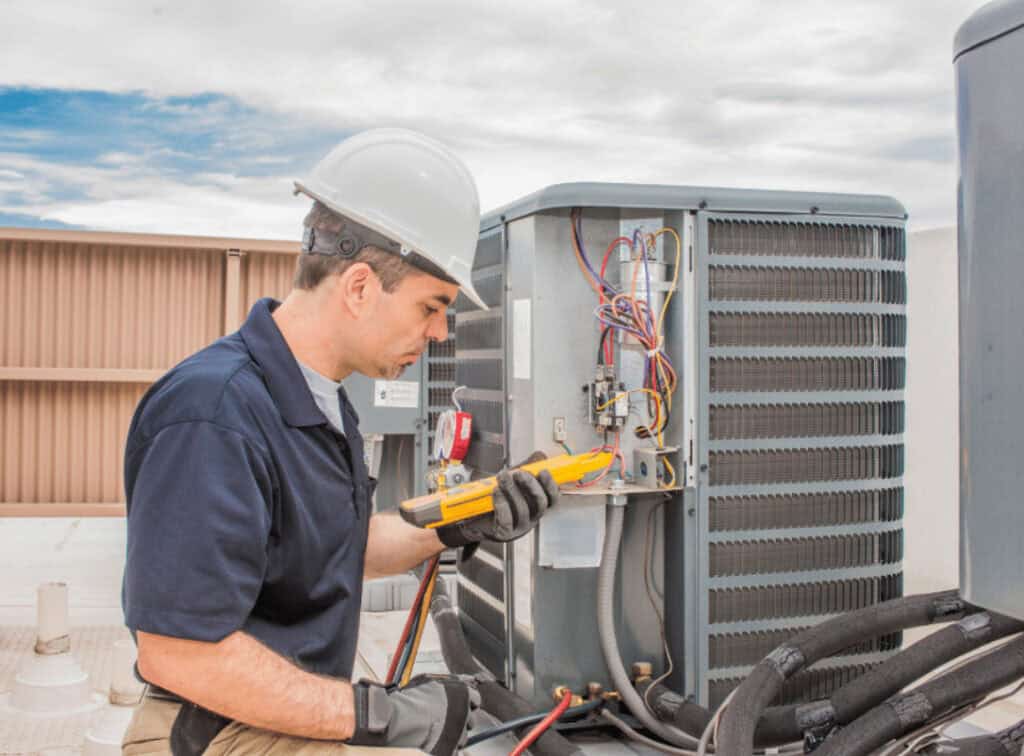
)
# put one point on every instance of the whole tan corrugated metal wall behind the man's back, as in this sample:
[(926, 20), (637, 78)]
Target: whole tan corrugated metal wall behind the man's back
[(88, 322)]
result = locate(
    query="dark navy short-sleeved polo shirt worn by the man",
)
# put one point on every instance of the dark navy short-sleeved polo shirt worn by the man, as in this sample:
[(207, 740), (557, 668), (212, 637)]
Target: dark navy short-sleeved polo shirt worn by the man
[(246, 510)]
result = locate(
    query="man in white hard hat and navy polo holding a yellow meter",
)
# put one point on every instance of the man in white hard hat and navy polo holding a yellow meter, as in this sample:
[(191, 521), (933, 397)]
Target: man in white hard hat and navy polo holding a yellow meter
[(250, 527)]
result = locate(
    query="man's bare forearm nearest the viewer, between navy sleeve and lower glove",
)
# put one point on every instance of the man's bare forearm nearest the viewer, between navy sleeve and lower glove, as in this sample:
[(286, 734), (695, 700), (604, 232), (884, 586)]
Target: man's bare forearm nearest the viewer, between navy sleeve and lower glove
[(241, 679)]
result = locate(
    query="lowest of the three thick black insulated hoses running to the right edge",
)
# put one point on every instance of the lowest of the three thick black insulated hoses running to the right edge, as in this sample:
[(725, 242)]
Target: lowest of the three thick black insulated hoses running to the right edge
[(909, 711)]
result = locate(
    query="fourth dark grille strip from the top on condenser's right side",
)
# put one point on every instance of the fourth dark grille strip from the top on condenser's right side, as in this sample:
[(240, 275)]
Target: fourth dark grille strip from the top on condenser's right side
[(813, 374)]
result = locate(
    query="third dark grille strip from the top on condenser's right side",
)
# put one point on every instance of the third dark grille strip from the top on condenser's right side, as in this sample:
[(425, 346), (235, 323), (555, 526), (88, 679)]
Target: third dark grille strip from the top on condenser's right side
[(763, 329)]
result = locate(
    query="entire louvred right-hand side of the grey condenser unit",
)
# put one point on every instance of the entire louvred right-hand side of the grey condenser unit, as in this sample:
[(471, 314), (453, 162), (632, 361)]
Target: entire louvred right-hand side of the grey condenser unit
[(754, 443)]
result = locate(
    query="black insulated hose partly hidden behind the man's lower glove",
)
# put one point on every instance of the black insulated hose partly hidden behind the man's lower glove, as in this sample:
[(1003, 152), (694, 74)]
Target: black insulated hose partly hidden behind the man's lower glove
[(495, 699)]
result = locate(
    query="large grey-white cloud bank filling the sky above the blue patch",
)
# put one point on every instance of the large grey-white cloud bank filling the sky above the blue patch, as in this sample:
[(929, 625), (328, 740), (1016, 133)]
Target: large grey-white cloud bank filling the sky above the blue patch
[(742, 94)]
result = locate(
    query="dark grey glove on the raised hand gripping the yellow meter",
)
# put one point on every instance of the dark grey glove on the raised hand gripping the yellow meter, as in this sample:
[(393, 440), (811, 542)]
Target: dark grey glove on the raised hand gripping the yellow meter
[(521, 501)]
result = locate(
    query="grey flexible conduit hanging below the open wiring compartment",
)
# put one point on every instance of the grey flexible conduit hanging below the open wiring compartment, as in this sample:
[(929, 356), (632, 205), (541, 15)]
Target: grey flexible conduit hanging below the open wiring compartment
[(607, 634)]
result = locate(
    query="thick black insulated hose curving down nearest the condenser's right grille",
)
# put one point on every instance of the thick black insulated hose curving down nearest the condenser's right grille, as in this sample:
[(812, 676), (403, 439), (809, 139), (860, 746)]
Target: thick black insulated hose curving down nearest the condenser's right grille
[(765, 682)]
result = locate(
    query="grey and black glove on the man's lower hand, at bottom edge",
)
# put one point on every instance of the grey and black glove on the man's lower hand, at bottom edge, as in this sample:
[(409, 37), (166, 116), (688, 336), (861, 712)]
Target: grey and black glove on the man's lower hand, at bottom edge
[(431, 713)]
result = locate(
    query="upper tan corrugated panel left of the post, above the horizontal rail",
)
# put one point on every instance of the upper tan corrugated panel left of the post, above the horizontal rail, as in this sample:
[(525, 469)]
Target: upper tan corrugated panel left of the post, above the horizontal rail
[(83, 306)]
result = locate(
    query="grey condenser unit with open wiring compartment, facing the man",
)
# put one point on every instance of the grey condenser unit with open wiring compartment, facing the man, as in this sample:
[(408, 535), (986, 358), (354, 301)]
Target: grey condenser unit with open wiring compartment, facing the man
[(757, 405)]
